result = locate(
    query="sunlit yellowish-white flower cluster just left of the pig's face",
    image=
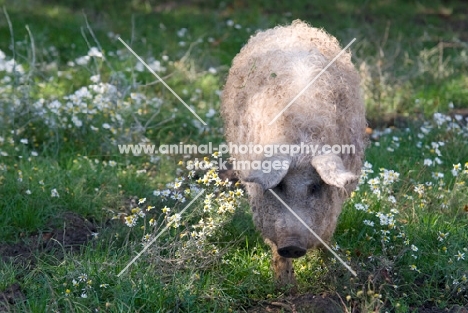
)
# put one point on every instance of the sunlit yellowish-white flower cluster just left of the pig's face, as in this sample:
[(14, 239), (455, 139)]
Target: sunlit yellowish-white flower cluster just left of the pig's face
[(194, 232)]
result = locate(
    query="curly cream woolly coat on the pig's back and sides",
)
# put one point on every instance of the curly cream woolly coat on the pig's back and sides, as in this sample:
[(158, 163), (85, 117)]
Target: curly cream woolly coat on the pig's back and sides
[(270, 71)]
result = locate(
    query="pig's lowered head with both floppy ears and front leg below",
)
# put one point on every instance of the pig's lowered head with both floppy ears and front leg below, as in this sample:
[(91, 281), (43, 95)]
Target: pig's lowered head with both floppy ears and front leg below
[(314, 189)]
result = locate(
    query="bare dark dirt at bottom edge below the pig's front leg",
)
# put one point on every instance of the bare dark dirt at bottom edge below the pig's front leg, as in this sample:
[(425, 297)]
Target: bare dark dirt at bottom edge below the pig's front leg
[(305, 303)]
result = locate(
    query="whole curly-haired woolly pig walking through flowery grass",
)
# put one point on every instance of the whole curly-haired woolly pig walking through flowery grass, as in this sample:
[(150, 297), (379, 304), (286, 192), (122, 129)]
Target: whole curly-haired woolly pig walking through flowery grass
[(273, 71)]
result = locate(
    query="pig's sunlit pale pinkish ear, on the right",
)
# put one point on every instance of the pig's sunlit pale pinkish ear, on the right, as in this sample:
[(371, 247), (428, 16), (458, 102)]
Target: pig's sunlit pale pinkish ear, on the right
[(332, 171)]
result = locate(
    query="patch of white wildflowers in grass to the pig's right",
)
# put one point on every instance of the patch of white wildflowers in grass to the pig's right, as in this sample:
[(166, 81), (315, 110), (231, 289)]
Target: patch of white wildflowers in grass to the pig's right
[(389, 205)]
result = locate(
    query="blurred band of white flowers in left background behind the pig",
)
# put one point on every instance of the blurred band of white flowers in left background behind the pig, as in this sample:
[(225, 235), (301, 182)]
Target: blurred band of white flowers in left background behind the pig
[(100, 110)]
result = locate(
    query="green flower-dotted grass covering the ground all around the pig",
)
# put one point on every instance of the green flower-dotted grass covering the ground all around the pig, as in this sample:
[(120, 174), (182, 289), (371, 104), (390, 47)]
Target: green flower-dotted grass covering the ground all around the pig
[(404, 233)]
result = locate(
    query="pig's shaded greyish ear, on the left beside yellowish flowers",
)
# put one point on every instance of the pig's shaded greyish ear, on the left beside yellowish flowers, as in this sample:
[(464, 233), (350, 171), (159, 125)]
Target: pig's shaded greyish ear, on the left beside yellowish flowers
[(272, 178)]
